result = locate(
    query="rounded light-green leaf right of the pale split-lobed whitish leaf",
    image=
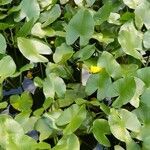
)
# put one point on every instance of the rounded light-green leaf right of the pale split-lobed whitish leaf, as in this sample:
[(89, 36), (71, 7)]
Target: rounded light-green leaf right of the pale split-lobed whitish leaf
[(62, 53)]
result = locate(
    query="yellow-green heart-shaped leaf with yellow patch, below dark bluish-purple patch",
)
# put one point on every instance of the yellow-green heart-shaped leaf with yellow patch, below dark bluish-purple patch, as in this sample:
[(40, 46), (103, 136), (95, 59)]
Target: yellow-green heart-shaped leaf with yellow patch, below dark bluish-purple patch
[(23, 103)]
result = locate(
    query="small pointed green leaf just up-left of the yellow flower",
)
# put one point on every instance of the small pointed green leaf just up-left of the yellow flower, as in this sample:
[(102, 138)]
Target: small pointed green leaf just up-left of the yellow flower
[(84, 53)]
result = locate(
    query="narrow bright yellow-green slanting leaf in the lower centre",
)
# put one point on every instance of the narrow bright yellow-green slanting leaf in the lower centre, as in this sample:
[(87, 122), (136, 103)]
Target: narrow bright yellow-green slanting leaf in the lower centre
[(76, 121)]
